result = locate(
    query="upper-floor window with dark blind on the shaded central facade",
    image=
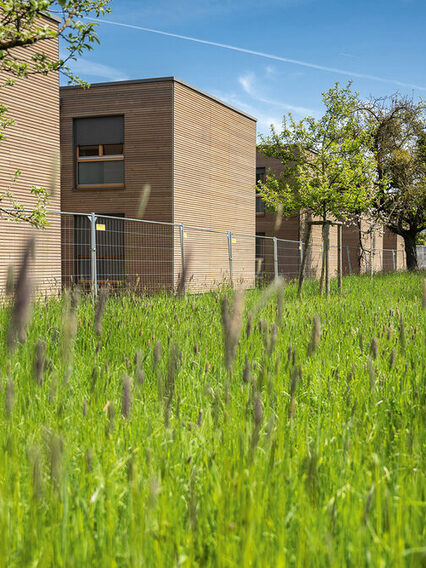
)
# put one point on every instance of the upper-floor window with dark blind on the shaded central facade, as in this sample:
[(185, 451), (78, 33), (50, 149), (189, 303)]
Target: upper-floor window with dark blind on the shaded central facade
[(99, 152)]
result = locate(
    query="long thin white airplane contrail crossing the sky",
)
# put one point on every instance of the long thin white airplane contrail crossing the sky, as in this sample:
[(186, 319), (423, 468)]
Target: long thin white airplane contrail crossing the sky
[(262, 54)]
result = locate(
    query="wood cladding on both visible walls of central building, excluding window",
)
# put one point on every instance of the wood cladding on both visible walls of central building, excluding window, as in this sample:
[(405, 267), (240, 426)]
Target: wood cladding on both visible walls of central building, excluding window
[(198, 156)]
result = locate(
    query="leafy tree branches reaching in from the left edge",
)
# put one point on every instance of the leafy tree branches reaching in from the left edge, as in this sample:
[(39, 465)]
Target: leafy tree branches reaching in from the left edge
[(23, 24)]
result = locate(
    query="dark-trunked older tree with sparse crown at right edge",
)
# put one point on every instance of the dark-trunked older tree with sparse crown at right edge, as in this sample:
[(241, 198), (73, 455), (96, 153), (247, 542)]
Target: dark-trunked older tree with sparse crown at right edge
[(397, 128)]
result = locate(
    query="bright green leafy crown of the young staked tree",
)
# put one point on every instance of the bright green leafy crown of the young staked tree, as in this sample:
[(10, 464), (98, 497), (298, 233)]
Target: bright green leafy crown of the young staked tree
[(326, 169)]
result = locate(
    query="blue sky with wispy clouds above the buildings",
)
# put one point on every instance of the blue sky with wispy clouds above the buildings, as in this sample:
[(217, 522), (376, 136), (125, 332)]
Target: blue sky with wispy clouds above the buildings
[(381, 44)]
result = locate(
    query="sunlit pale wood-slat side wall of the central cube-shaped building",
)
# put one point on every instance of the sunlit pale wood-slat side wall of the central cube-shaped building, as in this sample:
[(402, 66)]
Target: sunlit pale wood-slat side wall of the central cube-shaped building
[(214, 176)]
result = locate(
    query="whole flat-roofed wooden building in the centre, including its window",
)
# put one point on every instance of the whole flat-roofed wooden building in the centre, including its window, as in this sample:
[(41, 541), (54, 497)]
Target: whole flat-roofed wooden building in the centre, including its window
[(197, 154)]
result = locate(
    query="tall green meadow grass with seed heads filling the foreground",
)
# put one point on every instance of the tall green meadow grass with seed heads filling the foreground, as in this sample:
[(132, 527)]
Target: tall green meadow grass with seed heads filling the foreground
[(120, 445)]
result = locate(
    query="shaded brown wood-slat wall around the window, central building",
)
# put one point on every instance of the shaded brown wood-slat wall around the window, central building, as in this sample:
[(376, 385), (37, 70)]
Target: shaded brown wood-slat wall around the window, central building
[(147, 111)]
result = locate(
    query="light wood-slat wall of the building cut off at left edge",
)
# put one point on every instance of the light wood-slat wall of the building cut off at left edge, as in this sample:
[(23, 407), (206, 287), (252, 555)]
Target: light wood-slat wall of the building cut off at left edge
[(31, 145)]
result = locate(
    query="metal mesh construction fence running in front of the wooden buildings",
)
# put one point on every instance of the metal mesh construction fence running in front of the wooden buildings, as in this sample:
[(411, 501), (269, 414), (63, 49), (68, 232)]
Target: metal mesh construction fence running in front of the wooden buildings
[(91, 251)]
